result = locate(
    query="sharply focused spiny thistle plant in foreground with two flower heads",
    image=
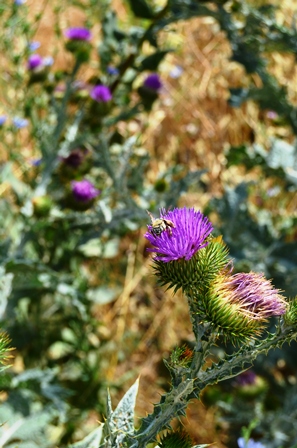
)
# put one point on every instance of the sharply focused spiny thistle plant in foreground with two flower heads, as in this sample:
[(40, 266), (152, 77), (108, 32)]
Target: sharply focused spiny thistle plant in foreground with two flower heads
[(224, 306)]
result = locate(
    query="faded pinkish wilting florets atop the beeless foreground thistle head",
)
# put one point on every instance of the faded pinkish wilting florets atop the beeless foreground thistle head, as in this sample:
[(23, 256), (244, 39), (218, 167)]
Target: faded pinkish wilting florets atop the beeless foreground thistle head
[(255, 295)]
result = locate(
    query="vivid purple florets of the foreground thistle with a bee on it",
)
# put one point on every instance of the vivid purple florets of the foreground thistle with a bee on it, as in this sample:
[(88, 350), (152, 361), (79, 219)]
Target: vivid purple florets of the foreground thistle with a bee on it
[(191, 228)]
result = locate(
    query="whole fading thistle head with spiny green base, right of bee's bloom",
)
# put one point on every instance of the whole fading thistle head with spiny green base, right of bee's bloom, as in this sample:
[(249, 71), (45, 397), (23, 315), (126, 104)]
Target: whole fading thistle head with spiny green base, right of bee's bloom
[(239, 305)]
